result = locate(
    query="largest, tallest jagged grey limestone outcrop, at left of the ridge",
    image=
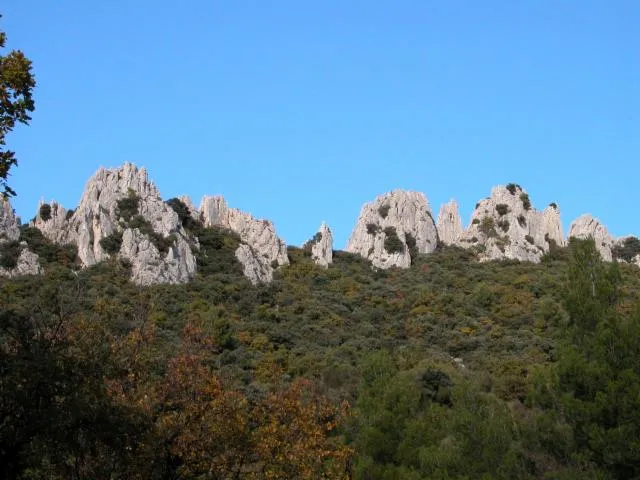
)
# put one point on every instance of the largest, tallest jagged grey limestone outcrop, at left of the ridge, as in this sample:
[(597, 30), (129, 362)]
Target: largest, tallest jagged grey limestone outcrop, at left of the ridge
[(98, 217)]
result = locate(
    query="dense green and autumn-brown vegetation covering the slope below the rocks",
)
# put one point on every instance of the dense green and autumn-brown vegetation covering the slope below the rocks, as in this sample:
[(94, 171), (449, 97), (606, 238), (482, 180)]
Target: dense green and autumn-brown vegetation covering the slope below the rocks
[(451, 369)]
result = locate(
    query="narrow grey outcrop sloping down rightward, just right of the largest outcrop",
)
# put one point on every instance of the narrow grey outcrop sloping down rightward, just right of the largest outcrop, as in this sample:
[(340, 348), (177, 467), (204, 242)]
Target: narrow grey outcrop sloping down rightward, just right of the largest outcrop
[(261, 251)]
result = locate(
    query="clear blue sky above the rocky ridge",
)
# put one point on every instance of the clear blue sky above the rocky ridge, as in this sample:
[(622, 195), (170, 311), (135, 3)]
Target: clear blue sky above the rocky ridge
[(301, 110)]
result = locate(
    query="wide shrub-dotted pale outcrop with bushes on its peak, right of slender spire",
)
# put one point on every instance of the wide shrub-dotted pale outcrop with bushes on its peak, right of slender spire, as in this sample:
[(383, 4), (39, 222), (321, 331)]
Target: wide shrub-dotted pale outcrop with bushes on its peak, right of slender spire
[(505, 225)]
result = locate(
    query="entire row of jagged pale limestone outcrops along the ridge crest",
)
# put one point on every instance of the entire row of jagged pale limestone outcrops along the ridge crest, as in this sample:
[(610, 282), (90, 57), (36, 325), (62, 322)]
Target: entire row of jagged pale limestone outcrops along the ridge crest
[(122, 215)]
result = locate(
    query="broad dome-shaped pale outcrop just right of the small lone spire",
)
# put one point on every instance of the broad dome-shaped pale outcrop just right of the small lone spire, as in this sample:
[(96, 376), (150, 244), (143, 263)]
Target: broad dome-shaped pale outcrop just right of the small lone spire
[(391, 227)]
